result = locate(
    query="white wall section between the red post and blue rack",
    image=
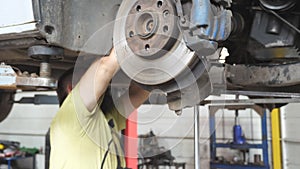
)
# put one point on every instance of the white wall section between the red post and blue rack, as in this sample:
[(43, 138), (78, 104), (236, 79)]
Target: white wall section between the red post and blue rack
[(174, 132)]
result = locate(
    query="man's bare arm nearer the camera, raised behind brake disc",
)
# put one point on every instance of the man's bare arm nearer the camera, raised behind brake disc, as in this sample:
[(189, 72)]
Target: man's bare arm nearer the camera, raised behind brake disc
[(95, 81)]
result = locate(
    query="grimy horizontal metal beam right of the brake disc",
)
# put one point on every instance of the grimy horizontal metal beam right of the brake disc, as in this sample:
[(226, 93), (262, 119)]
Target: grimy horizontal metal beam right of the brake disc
[(222, 75)]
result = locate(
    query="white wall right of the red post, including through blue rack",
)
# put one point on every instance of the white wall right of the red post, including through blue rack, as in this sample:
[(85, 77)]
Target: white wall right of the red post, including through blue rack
[(176, 132)]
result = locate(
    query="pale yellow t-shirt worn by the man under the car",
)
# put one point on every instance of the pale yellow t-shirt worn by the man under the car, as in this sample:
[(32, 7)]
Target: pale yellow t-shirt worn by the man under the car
[(79, 138)]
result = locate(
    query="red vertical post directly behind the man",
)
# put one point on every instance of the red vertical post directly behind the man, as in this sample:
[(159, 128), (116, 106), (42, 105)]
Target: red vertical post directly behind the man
[(131, 141)]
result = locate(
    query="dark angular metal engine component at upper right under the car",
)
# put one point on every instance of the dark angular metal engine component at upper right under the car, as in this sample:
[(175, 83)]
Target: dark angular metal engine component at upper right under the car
[(272, 38)]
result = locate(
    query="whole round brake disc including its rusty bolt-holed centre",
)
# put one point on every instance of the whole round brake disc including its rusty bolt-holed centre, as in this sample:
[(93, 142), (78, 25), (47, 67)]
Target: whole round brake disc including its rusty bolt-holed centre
[(149, 45)]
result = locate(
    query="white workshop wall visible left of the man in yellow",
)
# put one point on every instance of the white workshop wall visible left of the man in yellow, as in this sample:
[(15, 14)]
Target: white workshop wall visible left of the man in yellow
[(28, 124)]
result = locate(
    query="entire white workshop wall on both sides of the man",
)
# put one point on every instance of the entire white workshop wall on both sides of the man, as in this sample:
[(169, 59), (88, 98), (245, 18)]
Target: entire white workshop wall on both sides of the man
[(28, 124)]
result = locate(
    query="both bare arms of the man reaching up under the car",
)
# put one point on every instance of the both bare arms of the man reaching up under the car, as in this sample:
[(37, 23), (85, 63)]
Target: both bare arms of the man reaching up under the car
[(95, 81)]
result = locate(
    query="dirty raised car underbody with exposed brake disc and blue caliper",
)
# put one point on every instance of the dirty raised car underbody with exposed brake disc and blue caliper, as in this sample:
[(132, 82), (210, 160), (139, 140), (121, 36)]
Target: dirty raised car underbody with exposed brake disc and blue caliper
[(175, 47)]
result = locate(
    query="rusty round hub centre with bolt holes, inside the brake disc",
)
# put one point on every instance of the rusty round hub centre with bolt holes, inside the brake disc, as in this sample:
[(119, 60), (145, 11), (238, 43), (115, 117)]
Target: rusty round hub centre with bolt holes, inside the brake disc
[(151, 28)]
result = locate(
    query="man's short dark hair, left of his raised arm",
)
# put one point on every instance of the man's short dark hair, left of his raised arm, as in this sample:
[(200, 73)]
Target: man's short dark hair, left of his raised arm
[(64, 80)]
